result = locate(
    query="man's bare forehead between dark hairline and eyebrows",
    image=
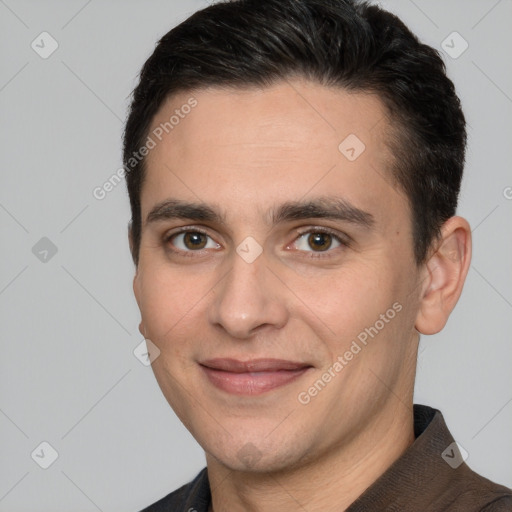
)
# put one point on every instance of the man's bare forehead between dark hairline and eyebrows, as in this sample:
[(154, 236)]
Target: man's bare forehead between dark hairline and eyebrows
[(261, 145)]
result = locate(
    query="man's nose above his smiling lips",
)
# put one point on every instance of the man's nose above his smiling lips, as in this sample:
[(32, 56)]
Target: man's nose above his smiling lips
[(248, 300)]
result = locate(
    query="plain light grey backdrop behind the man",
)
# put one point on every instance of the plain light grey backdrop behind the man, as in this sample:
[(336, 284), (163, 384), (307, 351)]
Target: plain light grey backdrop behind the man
[(68, 375)]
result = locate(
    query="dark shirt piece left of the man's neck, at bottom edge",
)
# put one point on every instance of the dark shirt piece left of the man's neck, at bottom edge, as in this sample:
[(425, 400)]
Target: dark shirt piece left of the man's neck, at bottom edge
[(192, 496)]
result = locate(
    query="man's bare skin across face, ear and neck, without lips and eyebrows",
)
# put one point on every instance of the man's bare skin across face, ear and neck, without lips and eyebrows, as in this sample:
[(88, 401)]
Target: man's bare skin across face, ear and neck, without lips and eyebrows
[(244, 153)]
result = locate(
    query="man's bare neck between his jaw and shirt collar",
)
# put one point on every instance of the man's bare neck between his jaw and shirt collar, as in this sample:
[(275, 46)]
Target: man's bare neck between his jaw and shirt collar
[(330, 482)]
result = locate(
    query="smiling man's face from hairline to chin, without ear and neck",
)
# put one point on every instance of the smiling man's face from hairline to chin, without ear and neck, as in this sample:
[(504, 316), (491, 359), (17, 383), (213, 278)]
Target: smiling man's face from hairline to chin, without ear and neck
[(269, 253)]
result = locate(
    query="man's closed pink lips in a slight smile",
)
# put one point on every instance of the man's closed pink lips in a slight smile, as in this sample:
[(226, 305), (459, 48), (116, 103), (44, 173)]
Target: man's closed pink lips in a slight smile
[(252, 377)]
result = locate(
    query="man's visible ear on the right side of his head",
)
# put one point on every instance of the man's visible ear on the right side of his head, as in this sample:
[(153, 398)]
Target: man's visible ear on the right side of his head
[(444, 274)]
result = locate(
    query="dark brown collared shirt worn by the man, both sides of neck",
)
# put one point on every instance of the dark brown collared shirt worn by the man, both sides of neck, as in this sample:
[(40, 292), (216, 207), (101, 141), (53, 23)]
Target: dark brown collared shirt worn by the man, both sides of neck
[(429, 477)]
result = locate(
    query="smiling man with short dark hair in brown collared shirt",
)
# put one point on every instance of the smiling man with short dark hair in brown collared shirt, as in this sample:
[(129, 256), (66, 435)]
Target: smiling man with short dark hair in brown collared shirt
[(293, 169)]
